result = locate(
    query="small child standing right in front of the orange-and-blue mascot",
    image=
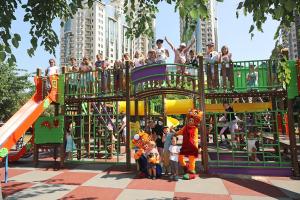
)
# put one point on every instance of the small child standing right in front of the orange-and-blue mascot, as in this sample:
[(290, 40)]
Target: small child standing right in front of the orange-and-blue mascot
[(152, 159)]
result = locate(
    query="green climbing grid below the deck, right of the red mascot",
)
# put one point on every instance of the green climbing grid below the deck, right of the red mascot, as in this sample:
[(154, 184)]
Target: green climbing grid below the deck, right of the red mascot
[(256, 140)]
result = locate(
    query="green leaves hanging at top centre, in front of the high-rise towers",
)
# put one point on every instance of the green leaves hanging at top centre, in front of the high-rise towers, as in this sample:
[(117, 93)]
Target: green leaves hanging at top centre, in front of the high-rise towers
[(140, 15)]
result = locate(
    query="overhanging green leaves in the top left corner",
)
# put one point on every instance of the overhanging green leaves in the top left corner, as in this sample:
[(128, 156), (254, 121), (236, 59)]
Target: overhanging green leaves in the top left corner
[(40, 14)]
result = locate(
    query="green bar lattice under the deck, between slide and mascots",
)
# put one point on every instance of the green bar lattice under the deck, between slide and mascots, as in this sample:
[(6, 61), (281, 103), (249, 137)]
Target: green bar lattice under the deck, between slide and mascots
[(96, 139)]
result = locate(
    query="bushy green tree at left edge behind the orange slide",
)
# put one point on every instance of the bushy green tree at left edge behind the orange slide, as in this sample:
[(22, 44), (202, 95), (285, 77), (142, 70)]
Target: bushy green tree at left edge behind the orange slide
[(15, 89)]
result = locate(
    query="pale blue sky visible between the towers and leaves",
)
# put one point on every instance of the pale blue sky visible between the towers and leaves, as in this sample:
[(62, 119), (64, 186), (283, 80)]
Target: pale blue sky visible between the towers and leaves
[(232, 32)]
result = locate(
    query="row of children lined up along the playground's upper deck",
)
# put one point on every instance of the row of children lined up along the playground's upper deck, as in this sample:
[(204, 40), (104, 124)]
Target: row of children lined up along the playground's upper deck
[(183, 55)]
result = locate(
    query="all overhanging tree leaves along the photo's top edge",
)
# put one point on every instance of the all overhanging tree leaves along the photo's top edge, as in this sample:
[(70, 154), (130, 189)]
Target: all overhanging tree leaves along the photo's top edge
[(139, 15)]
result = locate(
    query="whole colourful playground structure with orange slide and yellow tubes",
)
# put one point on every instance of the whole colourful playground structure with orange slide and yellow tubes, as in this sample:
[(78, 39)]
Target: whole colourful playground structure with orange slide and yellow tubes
[(93, 101)]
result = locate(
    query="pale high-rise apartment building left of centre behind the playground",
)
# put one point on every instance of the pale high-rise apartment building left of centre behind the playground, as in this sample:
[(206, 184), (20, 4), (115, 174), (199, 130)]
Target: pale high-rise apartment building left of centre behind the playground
[(99, 29)]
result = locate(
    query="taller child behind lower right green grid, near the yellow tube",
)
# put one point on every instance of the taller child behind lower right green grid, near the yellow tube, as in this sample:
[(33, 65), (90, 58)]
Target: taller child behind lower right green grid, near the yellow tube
[(231, 120)]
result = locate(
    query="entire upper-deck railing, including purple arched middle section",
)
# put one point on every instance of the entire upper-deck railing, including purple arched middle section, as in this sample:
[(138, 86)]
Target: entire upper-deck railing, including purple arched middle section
[(240, 76)]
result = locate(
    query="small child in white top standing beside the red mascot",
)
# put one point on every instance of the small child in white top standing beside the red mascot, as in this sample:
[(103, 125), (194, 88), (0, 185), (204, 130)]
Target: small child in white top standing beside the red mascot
[(174, 151)]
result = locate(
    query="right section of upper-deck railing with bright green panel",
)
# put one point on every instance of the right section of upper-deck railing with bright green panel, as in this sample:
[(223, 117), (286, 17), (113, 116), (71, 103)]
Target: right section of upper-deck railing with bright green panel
[(242, 76)]
